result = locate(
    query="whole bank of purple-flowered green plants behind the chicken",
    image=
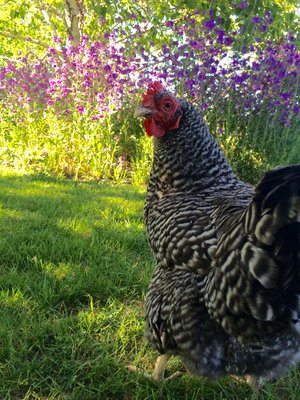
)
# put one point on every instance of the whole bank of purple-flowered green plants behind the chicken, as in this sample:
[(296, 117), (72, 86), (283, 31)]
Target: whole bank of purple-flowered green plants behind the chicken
[(71, 112)]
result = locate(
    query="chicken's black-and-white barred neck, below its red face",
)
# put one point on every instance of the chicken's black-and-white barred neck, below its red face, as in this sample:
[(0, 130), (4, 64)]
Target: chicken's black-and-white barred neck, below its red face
[(189, 159)]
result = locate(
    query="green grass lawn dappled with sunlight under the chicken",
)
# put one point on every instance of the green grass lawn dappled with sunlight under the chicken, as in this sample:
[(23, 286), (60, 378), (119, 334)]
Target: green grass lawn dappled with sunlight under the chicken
[(74, 269)]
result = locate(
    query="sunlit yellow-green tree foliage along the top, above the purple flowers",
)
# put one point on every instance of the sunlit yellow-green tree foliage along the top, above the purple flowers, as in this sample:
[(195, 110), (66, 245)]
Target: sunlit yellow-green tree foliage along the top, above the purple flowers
[(42, 20)]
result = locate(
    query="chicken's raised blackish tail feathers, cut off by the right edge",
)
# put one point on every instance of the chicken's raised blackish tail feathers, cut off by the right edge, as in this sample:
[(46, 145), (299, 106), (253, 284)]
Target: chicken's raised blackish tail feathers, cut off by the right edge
[(272, 225)]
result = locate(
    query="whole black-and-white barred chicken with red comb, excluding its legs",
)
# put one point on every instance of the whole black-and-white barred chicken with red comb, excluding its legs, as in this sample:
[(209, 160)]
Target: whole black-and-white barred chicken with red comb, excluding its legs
[(225, 294)]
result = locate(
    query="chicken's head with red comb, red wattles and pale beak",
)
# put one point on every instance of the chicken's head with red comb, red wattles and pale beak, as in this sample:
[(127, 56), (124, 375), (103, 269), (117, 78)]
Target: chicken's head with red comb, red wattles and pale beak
[(161, 109)]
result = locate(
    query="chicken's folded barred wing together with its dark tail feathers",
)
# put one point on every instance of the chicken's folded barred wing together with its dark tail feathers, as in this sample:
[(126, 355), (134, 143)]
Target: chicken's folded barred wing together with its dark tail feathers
[(258, 262)]
